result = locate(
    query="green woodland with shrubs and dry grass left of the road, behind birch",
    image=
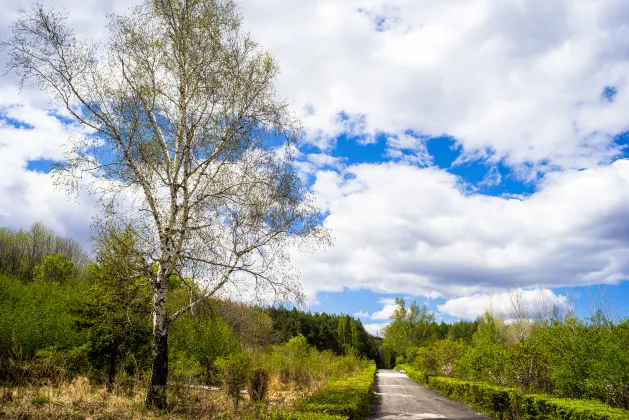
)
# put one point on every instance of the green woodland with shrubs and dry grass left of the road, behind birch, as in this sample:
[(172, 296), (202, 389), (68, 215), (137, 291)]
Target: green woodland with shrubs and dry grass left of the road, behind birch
[(75, 335)]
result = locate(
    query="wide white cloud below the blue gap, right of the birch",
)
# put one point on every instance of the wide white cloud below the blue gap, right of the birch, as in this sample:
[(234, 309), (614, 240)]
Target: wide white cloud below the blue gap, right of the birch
[(403, 229)]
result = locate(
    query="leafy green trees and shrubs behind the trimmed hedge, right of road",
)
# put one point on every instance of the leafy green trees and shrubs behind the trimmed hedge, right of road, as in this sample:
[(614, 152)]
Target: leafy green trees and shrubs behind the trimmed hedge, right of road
[(556, 354)]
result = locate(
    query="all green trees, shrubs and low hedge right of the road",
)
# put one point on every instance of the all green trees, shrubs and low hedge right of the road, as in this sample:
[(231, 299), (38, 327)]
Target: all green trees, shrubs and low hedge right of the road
[(552, 366)]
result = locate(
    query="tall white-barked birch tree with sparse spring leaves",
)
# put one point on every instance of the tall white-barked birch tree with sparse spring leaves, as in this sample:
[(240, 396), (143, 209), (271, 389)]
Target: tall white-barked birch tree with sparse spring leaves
[(188, 142)]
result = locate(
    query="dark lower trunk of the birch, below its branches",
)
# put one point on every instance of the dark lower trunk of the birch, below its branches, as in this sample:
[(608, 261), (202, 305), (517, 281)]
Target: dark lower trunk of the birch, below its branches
[(156, 394)]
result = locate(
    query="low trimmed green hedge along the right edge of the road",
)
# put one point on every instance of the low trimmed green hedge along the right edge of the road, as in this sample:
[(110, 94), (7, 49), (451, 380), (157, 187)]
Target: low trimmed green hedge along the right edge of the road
[(510, 403)]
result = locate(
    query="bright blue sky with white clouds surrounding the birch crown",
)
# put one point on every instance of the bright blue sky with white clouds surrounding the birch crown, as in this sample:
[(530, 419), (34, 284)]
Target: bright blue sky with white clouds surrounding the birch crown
[(458, 148)]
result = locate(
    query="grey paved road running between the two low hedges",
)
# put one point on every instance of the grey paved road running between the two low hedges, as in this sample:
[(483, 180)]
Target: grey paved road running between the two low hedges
[(399, 397)]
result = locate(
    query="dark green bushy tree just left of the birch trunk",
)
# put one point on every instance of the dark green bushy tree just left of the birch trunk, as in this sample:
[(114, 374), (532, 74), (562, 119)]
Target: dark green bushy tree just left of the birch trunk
[(114, 311)]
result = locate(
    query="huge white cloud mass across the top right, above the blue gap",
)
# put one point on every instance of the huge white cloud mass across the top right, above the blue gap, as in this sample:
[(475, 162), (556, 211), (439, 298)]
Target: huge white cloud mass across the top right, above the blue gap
[(508, 81)]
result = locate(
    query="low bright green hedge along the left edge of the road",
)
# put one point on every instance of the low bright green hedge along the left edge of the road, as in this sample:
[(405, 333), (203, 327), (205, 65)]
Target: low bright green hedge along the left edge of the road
[(347, 397)]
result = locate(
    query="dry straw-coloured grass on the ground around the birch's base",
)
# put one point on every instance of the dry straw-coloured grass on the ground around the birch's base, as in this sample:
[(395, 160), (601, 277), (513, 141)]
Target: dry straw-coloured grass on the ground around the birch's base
[(80, 399)]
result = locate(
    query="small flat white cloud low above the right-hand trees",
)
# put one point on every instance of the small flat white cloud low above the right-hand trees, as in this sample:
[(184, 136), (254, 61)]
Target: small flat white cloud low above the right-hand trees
[(530, 302)]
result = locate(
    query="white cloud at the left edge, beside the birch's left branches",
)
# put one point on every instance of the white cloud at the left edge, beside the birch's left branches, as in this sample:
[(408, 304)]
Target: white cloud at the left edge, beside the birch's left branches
[(27, 134)]
